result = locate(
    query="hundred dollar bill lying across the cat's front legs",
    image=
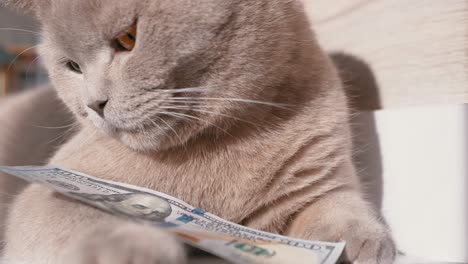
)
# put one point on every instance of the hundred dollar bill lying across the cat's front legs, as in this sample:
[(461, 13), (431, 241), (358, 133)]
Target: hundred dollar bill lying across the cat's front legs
[(200, 229)]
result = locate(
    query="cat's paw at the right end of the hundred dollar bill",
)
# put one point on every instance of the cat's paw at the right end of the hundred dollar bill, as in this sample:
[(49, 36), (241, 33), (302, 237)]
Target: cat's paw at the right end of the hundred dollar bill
[(344, 216)]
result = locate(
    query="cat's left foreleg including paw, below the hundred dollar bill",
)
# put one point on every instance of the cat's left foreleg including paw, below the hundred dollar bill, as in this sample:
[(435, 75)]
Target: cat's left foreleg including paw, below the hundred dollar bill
[(47, 228)]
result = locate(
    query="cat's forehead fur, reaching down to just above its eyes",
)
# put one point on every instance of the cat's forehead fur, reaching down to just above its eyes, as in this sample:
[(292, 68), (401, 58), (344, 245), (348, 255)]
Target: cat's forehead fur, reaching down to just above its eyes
[(88, 24)]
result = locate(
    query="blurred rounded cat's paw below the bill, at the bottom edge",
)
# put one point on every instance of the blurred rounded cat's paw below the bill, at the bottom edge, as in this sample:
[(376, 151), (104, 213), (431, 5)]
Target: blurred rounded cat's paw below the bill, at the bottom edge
[(125, 243)]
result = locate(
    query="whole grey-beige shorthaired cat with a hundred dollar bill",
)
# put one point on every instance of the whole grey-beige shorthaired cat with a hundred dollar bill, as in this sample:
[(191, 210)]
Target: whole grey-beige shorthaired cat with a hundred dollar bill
[(230, 105)]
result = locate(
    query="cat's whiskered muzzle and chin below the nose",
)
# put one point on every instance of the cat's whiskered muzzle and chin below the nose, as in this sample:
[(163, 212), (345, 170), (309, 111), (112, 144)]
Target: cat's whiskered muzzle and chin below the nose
[(165, 123)]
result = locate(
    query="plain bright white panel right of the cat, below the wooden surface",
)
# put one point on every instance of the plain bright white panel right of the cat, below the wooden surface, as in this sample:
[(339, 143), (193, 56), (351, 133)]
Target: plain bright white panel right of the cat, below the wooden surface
[(422, 154)]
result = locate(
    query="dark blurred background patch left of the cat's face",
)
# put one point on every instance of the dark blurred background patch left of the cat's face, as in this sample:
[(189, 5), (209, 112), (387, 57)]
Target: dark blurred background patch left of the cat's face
[(20, 67)]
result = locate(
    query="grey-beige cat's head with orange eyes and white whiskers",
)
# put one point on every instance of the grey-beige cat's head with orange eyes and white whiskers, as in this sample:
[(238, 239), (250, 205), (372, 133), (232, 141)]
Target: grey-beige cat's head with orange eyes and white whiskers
[(154, 73)]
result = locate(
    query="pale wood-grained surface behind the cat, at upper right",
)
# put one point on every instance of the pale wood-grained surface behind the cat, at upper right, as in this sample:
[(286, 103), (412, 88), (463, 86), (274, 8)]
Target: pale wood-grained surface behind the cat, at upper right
[(417, 50)]
